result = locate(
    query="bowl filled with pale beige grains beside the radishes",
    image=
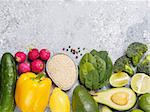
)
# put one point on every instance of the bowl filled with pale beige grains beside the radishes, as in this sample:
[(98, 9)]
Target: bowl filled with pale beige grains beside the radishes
[(62, 70)]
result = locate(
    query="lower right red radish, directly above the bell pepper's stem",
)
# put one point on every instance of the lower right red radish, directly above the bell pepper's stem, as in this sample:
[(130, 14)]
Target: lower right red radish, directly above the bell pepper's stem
[(37, 66)]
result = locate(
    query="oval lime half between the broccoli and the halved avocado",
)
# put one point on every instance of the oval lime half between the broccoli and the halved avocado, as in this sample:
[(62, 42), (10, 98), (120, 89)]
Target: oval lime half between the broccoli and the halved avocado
[(119, 79)]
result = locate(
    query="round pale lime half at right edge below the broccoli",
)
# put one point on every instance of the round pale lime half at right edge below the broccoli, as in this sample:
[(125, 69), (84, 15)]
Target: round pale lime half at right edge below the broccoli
[(140, 83)]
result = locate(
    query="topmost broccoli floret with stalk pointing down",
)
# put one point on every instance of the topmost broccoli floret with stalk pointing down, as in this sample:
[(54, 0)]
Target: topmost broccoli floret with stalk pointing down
[(135, 52)]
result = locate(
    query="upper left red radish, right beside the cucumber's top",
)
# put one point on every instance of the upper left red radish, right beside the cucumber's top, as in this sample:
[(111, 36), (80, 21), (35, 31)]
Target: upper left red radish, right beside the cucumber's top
[(20, 57)]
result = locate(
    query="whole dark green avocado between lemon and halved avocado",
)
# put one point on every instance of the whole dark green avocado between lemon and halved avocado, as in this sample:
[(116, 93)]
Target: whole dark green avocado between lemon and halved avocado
[(82, 101)]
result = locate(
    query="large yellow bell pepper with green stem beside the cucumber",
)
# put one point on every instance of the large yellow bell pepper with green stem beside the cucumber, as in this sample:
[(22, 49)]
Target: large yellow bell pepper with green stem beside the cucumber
[(32, 92)]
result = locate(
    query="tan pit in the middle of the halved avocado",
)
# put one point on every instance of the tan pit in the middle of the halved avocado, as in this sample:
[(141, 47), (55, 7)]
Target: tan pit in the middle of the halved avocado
[(120, 98)]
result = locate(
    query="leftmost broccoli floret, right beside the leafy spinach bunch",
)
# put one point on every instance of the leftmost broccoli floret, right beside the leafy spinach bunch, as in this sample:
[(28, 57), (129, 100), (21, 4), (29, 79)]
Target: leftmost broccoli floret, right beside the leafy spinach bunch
[(123, 64)]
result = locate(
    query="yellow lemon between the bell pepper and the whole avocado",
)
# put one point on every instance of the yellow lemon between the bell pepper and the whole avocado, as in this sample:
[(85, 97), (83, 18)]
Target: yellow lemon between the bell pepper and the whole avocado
[(59, 101)]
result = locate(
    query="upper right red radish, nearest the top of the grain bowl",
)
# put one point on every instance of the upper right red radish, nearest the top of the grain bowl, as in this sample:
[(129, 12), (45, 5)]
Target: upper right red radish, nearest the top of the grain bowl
[(44, 54)]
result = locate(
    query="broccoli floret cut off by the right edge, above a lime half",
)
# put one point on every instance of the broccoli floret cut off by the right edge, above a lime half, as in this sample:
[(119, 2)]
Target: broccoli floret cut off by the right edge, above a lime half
[(144, 66)]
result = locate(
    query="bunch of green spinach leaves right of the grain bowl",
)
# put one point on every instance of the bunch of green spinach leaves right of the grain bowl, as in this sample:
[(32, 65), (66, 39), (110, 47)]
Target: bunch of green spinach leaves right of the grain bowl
[(95, 69)]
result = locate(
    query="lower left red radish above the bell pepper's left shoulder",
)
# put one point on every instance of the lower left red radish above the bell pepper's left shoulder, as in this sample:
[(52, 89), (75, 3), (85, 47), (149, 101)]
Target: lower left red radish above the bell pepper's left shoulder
[(24, 67)]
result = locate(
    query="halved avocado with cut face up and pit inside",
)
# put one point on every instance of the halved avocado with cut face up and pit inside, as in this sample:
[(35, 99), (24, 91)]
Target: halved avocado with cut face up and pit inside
[(117, 98)]
